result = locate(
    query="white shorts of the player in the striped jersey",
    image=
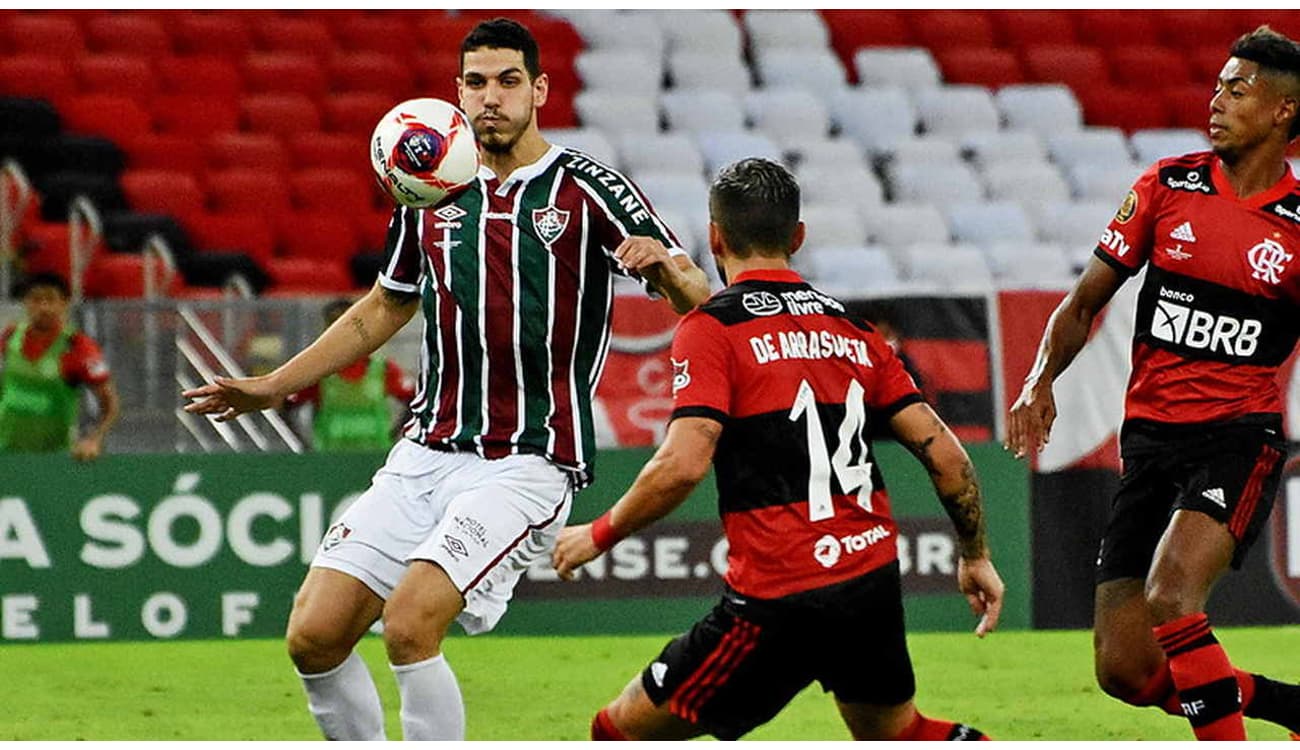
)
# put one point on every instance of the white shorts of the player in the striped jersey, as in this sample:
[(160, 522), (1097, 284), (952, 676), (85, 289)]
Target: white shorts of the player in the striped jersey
[(483, 522)]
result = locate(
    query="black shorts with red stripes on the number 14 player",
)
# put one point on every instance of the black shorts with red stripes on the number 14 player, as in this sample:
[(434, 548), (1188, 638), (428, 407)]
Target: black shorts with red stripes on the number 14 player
[(748, 658)]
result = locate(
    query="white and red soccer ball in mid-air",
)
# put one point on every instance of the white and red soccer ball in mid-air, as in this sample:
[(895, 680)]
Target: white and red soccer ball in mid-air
[(423, 151)]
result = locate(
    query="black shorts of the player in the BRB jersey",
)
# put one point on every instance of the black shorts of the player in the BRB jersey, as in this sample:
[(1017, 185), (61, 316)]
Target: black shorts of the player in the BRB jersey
[(1228, 471)]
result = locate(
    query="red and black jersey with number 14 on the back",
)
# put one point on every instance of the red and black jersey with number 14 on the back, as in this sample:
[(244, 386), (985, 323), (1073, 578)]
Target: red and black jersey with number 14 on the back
[(798, 385)]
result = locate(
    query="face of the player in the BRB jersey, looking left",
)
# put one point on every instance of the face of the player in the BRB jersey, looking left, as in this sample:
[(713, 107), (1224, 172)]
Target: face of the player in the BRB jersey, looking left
[(1243, 110)]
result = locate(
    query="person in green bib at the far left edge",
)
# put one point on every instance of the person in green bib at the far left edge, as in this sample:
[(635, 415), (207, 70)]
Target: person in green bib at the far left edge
[(44, 365)]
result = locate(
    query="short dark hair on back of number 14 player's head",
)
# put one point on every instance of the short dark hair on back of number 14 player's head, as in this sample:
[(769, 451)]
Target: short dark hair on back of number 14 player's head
[(756, 206)]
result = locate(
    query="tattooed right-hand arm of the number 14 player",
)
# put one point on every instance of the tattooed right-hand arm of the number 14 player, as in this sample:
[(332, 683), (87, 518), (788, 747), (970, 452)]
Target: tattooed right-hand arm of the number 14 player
[(954, 476)]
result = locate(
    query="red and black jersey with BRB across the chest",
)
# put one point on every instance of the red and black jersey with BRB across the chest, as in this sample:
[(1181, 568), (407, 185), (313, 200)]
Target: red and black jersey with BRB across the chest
[(1219, 313)]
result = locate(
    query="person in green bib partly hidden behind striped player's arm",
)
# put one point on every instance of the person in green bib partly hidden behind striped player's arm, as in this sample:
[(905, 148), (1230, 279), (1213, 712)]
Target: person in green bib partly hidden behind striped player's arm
[(352, 406)]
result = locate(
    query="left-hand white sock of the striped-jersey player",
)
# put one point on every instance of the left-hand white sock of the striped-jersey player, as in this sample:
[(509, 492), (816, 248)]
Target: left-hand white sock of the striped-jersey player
[(345, 703)]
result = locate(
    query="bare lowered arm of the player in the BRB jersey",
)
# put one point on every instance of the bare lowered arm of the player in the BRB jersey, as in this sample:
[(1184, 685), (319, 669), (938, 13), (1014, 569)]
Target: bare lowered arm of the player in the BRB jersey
[(1029, 426)]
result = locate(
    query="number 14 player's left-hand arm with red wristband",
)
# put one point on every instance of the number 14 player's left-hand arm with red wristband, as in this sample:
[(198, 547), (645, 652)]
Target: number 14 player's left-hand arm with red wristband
[(681, 463)]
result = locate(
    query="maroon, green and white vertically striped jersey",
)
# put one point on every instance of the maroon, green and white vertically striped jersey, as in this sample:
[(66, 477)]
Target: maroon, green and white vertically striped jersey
[(517, 287)]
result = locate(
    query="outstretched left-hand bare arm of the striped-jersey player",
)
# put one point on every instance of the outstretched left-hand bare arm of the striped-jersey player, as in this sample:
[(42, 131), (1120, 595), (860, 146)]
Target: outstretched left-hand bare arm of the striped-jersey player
[(371, 322)]
